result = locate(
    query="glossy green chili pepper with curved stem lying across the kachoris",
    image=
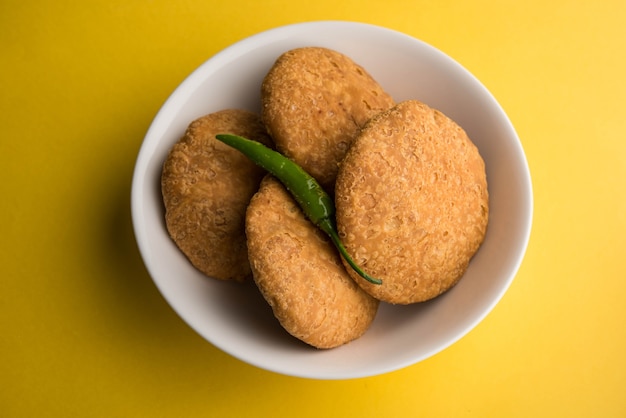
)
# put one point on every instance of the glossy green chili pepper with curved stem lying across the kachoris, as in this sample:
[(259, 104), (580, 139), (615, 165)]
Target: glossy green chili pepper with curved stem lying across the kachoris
[(316, 204)]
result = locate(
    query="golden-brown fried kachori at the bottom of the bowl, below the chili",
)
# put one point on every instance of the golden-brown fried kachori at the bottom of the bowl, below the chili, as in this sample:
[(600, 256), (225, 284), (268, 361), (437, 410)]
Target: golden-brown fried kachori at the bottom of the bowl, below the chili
[(300, 274)]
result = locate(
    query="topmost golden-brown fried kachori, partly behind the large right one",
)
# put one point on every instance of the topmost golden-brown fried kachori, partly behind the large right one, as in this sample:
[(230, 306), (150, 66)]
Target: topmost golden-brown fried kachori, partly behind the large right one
[(314, 102)]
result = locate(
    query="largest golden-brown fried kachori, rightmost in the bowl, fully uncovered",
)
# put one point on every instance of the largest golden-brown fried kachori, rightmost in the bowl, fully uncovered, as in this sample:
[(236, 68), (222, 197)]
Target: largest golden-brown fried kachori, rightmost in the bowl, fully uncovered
[(412, 203)]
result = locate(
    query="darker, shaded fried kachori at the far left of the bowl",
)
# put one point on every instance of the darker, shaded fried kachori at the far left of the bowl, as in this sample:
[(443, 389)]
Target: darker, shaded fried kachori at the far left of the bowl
[(206, 188)]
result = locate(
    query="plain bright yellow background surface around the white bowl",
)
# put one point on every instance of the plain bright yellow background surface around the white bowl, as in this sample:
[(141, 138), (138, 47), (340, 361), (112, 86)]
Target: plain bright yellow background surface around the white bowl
[(84, 331)]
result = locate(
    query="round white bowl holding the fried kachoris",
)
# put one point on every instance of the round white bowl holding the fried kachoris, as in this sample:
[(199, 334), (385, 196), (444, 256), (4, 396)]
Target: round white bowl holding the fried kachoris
[(235, 318)]
